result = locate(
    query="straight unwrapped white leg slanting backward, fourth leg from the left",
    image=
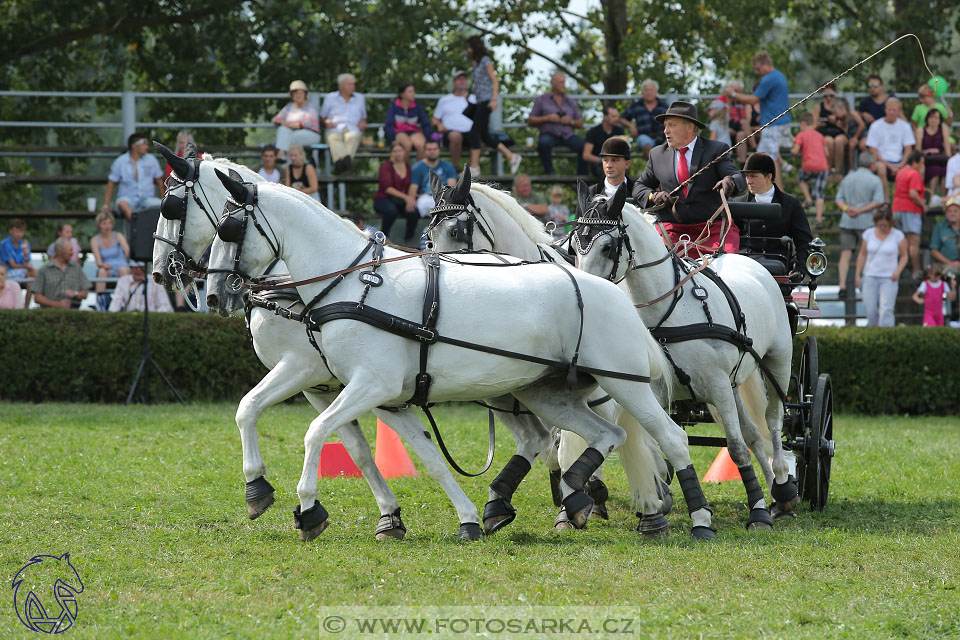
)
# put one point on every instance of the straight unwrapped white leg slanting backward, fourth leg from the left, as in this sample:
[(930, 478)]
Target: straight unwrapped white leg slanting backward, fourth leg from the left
[(409, 427)]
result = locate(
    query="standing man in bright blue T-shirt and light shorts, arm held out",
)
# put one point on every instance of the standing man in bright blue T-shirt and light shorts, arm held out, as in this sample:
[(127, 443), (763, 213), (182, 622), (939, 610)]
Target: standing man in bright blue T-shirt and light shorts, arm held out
[(772, 97)]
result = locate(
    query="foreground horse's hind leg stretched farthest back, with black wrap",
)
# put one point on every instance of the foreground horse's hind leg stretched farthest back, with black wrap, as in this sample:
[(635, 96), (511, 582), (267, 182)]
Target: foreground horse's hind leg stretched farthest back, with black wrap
[(640, 402)]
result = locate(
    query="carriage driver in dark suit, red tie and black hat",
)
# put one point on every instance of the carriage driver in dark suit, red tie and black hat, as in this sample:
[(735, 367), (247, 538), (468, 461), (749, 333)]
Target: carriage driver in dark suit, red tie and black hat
[(684, 153)]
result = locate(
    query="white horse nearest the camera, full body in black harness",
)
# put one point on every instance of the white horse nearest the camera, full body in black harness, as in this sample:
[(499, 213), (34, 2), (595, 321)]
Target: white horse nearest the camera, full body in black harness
[(480, 336)]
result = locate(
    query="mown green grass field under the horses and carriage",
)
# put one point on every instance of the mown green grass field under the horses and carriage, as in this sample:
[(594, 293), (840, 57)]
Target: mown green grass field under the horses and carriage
[(149, 503)]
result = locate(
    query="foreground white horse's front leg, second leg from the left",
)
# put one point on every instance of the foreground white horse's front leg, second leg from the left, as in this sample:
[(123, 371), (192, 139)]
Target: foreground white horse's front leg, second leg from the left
[(363, 393)]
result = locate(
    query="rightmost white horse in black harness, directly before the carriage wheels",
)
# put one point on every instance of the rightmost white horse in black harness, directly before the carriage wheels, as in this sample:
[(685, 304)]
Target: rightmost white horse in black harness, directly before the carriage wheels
[(612, 239)]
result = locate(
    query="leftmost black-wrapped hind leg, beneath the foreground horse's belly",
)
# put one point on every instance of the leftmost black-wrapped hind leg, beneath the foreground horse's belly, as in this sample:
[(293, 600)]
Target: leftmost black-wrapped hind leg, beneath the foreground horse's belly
[(532, 439)]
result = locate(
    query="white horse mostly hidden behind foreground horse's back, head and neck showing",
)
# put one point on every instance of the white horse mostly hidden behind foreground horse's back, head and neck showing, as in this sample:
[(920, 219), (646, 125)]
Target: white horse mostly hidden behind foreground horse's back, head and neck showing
[(492, 220)]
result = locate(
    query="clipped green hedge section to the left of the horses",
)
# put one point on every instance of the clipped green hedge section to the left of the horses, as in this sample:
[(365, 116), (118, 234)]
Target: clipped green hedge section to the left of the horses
[(81, 356)]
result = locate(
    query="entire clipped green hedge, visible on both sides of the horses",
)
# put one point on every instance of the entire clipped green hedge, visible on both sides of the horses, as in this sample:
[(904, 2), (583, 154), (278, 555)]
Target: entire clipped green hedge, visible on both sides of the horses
[(85, 356)]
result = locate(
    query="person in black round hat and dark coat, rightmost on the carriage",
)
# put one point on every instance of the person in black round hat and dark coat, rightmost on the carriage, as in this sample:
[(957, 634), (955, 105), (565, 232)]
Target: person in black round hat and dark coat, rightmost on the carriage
[(760, 170)]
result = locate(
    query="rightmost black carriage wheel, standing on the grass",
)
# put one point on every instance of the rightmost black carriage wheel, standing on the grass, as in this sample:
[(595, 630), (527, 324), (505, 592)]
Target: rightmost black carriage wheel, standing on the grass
[(818, 447)]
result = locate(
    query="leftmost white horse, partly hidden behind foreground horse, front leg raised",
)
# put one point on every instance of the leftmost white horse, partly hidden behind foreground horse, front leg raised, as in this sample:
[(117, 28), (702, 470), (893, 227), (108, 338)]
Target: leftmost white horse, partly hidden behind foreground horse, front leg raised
[(191, 208)]
